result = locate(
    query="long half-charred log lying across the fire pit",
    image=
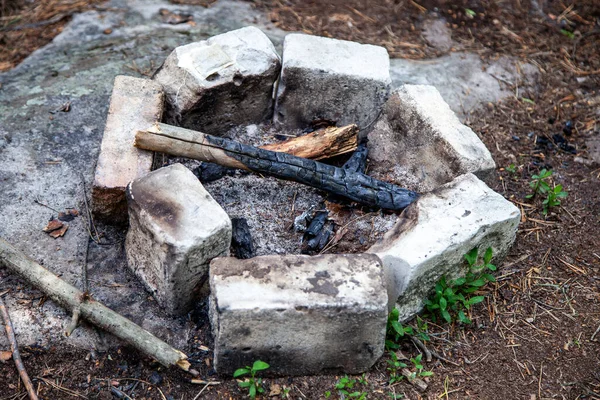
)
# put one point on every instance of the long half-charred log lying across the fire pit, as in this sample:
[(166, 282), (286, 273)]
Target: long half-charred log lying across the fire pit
[(352, 185)]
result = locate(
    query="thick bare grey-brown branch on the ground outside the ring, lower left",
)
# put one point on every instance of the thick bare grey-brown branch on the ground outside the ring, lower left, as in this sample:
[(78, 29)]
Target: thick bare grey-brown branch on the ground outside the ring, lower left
[(73, 299)]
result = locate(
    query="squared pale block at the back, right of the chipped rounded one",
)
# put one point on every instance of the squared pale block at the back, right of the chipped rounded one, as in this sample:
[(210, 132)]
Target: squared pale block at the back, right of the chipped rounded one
[(331, 79)]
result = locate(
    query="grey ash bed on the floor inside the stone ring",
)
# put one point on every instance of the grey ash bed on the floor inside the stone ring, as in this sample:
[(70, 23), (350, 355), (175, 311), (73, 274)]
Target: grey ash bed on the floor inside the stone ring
[(270, 205)]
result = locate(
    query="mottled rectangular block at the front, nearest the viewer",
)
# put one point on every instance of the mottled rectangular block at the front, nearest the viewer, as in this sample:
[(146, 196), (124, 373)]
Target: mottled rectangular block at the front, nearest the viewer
[(302, 315)]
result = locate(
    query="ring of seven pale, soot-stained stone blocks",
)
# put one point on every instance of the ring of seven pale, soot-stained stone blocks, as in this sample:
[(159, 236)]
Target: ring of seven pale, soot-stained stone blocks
[(302, 315)]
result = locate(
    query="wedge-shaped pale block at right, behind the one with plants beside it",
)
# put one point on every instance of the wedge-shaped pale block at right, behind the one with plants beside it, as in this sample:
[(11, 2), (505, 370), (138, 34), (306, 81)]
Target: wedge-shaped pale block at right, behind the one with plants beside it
[(420, 144)]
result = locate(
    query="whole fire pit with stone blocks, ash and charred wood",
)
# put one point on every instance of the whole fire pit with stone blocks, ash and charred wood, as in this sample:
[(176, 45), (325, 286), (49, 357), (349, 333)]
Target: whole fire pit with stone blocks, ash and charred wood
[(303, 314)]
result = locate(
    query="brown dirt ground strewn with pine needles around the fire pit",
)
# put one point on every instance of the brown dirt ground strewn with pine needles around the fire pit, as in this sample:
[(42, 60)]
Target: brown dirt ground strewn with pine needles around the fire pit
[(537, 333)]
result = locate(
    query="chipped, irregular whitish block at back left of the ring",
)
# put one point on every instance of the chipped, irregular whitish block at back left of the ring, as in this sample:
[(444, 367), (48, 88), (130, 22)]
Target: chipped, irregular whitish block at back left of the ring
[(224, 81)]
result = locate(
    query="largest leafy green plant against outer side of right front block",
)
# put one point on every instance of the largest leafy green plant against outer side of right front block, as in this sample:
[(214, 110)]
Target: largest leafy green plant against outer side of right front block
[(455, 295)]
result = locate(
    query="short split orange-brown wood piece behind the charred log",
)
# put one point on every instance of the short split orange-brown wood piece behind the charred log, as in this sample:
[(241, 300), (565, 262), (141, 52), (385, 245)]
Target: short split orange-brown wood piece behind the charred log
[(323, 143)]
